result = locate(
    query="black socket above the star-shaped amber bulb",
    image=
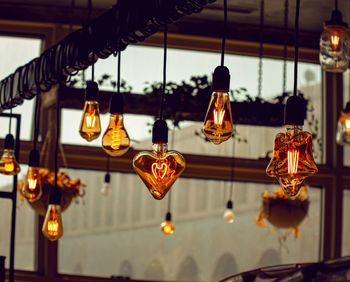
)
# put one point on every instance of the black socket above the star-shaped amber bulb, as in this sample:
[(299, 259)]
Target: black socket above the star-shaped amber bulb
[(295, 111)]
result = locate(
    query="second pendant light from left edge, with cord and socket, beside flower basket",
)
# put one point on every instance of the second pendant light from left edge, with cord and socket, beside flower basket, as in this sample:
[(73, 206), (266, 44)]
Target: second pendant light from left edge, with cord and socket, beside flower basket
[(32, 188)]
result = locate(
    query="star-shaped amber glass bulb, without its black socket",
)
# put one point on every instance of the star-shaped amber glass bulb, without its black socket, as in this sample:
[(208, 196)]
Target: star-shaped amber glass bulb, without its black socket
[(292, 160)]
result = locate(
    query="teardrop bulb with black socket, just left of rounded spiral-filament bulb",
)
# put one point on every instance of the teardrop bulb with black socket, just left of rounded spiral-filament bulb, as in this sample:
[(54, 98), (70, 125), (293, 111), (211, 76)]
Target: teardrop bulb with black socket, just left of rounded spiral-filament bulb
[(90, 125)]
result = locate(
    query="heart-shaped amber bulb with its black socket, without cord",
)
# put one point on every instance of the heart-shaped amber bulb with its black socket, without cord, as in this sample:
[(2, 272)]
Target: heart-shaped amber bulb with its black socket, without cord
[(160, 168)]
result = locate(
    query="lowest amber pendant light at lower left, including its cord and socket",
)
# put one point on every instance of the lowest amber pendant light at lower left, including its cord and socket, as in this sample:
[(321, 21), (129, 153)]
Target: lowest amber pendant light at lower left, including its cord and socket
[(53, 227)]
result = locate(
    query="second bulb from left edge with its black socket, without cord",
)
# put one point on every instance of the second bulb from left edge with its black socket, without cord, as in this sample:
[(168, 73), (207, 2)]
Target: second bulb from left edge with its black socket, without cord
[(32, 189)]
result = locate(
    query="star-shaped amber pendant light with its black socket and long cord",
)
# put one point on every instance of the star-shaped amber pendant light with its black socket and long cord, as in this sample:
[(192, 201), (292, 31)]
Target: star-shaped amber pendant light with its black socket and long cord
[(292, 160)]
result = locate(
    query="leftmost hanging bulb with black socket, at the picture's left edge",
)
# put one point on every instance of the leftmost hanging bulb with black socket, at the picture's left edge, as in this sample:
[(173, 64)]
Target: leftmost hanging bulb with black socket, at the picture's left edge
[(8, 163)]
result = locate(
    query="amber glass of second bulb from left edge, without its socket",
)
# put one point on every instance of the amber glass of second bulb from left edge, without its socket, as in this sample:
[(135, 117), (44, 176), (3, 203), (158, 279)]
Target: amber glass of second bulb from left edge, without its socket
[(32, 189)]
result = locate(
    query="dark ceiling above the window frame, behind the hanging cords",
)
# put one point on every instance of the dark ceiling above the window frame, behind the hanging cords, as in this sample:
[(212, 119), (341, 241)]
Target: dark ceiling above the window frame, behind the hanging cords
[(244, 15)]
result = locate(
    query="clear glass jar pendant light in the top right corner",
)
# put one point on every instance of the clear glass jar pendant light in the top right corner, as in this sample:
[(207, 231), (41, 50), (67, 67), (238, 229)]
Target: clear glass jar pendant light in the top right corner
[(334, 43)]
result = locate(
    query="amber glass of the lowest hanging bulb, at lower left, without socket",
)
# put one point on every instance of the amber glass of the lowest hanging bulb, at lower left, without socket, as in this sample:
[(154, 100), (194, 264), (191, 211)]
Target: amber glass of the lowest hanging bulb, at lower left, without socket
[(53, 227)]
